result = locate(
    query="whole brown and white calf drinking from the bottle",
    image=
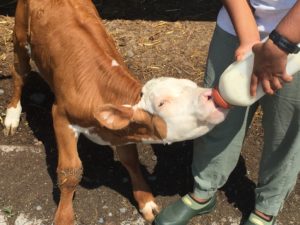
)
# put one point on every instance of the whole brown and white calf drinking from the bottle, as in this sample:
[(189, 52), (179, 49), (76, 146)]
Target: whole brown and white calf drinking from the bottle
[(96, 95)]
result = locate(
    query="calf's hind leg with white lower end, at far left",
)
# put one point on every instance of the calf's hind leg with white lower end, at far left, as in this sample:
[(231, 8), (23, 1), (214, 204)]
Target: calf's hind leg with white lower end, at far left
[(20, 68)]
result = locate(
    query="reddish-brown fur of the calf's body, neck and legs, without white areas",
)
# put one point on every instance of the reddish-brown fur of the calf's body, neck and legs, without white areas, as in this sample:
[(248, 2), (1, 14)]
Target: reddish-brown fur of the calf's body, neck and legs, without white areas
[(74, 55)]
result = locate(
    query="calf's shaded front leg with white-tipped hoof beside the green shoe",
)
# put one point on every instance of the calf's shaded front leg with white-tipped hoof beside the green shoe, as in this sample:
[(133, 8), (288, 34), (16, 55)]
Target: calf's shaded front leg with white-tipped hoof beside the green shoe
[(128, 156)]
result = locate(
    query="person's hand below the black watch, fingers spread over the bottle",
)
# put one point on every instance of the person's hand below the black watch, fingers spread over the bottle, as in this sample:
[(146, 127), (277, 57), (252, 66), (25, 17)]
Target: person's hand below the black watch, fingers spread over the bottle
[(269, 68)]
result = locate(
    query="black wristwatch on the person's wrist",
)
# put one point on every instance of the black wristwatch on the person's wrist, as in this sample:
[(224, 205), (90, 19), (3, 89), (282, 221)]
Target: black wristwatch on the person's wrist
[(283, 43)]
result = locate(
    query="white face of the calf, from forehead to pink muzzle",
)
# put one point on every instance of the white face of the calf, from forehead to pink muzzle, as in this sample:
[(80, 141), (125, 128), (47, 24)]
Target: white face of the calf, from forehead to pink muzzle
[(187, 109)]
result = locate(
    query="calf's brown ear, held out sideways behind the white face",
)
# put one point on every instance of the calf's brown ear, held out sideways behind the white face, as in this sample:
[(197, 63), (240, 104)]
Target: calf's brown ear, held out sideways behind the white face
[(114, 117)]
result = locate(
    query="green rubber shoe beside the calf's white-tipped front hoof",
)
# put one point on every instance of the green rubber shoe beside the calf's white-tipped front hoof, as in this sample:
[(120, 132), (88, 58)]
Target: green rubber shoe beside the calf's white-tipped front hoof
[(181, 211)]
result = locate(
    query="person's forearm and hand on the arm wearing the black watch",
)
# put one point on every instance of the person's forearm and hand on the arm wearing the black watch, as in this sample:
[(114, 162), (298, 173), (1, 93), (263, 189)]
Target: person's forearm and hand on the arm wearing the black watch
[(270, 61)]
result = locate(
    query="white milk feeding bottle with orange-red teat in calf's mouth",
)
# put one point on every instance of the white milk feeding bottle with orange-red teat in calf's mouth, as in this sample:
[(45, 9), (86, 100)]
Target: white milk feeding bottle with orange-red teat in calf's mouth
[(234, 85)]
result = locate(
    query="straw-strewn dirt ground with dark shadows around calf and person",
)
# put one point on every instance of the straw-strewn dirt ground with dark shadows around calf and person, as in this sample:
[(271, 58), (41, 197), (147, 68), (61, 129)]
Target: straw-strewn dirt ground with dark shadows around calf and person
[(156, 38)]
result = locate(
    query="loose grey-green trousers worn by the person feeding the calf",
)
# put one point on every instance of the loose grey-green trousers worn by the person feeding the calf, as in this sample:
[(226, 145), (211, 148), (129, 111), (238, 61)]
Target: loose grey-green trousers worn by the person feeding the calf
[(216, 154)]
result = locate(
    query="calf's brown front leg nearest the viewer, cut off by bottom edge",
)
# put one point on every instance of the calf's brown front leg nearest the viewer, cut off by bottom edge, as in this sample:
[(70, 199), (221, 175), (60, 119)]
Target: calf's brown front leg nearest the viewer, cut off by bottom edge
[(69, 169)]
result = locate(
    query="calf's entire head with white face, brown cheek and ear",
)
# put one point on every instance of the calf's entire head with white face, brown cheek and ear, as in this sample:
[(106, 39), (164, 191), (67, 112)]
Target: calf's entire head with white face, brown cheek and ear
[(169, 110)]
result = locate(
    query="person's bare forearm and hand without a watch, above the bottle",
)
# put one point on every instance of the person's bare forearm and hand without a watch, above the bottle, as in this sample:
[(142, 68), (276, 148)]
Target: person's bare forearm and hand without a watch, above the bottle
[(244, 24)]
